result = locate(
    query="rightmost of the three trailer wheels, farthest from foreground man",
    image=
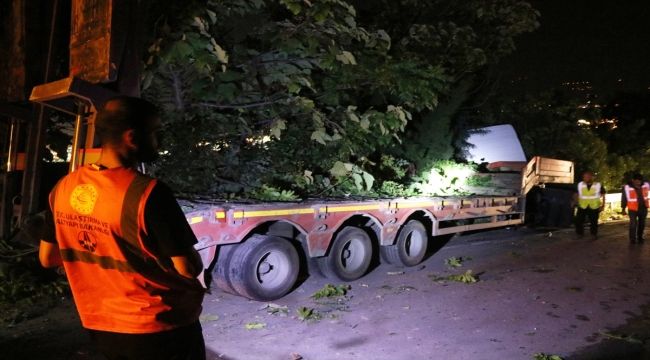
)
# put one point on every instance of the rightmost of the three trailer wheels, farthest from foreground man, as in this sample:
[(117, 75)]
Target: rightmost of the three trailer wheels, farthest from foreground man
[(410, 247)]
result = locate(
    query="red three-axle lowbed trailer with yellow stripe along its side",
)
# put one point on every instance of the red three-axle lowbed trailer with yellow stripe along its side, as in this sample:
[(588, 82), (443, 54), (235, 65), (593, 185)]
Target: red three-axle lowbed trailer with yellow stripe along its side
[(258, 250)]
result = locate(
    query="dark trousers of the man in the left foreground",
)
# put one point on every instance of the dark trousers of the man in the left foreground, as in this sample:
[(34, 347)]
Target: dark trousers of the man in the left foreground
[(185, 343)]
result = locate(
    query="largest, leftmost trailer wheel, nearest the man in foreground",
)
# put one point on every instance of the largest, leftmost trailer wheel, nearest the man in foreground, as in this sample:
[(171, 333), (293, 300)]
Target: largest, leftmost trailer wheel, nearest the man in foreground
[(264, 268)]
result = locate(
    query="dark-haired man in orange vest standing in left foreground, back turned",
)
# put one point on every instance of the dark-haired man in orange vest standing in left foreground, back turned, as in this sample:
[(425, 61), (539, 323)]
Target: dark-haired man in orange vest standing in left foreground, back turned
[(126, 246)]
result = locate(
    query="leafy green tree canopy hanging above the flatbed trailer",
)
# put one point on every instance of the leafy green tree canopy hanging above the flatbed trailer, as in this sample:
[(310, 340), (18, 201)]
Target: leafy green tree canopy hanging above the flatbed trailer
[(319, 96)]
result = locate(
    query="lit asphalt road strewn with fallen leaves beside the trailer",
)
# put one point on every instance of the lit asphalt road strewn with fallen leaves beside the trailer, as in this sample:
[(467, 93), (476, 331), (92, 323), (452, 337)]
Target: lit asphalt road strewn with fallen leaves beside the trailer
[(537, 292)]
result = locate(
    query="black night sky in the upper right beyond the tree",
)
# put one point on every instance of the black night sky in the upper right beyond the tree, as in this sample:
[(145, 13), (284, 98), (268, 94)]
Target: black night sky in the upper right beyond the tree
[(600, 41)]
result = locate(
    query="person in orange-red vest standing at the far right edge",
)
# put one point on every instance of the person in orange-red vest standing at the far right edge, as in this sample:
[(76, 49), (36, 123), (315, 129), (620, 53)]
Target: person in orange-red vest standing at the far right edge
[(635, 199)]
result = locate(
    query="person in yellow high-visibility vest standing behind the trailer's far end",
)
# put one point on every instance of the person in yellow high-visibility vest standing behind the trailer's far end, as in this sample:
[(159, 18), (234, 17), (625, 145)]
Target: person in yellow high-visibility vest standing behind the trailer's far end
[(591, 201)]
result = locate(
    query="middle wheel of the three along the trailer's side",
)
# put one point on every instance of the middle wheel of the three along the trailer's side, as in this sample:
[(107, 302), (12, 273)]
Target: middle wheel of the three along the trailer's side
[(349, 257)]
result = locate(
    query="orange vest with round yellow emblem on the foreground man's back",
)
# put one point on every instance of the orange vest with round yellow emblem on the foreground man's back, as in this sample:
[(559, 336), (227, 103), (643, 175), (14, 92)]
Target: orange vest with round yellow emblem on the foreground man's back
[(118, 284)]
